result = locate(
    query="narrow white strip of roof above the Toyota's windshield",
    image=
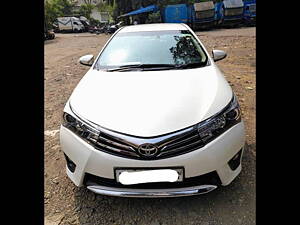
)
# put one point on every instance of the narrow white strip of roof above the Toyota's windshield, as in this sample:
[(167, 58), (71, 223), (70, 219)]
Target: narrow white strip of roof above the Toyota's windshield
[(153, 27)]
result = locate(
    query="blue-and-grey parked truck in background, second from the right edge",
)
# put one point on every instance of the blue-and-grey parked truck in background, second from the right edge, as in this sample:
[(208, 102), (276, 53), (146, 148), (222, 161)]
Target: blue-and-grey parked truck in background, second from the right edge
[(229, 11)]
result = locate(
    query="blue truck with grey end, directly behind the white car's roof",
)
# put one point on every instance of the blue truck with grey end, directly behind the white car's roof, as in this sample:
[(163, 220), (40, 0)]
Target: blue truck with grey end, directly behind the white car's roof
[(197, 15)]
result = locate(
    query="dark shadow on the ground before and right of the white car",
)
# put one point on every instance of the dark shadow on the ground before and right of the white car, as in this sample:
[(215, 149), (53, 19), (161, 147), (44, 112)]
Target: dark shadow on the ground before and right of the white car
[(233, 204)]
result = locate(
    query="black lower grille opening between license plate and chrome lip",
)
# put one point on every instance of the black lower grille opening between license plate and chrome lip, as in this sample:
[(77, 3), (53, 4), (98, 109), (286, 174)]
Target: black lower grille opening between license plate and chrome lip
[(209, 178)]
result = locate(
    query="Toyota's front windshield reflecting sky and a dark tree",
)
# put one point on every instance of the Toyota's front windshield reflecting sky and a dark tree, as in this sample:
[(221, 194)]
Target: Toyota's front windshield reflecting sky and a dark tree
[(171, 48)]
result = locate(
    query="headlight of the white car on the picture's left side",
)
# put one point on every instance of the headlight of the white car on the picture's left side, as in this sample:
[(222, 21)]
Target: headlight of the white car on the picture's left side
[(85, 131)]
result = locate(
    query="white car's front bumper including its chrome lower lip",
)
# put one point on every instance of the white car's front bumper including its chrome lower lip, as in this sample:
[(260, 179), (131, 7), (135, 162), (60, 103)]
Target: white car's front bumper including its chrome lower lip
[(212, 157)]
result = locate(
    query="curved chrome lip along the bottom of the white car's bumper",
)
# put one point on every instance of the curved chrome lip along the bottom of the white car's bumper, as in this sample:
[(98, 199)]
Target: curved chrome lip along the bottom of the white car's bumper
[(152, 193)]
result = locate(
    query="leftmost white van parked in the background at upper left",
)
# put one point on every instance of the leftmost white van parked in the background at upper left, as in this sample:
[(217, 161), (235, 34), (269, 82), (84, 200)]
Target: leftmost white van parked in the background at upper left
[(70, 24)]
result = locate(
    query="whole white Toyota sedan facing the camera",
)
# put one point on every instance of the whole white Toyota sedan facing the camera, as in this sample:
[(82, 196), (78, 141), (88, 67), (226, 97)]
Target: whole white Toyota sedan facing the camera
[(153, 117)]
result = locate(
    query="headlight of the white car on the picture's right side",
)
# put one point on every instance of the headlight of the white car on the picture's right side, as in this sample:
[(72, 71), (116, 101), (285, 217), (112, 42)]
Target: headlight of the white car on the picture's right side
[(213, 127)]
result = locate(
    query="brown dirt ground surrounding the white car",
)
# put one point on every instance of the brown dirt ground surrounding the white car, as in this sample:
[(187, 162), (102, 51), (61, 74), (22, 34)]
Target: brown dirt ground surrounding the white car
[(67, 204)]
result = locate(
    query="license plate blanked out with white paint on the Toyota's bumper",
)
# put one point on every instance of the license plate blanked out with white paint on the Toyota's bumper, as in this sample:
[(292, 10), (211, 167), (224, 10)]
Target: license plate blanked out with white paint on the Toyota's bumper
[(141, 176)]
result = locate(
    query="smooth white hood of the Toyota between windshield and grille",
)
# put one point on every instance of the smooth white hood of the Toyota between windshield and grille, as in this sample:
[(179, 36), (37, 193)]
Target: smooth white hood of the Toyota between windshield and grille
[(150, 103)]
